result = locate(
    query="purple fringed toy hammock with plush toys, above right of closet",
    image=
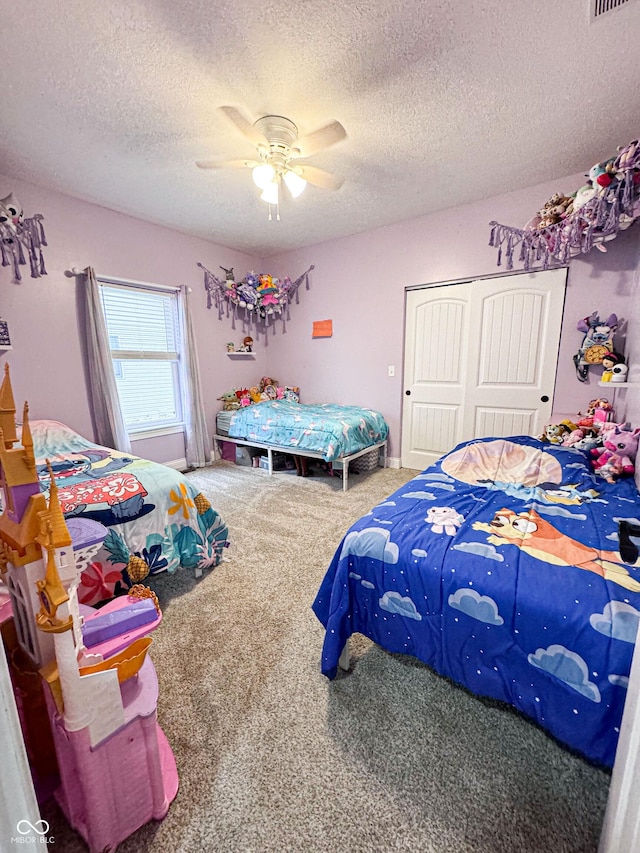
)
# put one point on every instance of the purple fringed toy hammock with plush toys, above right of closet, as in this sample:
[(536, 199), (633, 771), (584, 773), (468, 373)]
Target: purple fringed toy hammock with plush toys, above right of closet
[(572, 225)]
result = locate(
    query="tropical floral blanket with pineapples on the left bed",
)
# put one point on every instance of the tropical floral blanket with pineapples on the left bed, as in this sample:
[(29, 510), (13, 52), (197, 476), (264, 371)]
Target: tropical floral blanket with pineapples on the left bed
[(152, 512)]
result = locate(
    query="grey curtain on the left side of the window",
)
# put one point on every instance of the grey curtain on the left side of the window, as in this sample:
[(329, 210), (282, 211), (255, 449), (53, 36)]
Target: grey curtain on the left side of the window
[(103, 394)]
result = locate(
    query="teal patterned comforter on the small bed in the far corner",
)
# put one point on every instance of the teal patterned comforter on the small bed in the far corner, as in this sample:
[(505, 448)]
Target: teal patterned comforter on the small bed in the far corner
[(326, 428)]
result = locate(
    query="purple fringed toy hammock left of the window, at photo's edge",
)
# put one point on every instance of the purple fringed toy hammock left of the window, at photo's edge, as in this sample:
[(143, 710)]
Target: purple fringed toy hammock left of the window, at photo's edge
[(19, 235)]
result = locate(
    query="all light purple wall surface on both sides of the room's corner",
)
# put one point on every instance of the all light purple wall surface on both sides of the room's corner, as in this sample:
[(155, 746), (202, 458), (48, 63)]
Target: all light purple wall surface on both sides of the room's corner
[(358, 282)]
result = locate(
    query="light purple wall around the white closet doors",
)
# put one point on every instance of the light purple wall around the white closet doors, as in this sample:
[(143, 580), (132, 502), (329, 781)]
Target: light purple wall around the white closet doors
[(359, 283)]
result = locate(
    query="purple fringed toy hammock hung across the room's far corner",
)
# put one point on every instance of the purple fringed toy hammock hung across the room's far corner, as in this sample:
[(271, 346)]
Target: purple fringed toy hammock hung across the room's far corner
[(253, 304)]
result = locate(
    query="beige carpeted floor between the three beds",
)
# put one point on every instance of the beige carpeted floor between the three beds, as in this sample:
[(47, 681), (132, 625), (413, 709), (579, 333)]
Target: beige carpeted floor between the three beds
[(273, 757)]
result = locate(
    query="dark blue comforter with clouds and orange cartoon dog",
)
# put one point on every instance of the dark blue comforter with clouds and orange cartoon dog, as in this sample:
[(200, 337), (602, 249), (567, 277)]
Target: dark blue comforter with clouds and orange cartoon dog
[(500, 567)]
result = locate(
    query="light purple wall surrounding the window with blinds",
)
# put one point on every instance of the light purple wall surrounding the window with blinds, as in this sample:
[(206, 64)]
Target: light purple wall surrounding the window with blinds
[(46, 360)]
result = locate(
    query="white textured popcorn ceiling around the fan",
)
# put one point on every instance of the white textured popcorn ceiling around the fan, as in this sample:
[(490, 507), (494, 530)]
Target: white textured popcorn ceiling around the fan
[(443, 103)]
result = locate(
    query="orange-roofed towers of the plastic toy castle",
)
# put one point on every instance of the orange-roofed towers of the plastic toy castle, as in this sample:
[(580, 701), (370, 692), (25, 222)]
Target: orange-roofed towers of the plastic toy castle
[(22, 561)]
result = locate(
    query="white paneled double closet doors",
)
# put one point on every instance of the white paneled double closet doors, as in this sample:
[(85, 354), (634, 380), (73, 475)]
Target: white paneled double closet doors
[(480, 359)]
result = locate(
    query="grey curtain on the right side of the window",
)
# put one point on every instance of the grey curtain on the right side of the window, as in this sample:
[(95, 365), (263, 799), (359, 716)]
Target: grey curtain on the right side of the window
[(197, 437)]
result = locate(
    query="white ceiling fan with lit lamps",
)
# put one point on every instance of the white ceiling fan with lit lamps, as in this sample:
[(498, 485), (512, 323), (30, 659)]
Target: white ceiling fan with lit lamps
[(279, 151)]
